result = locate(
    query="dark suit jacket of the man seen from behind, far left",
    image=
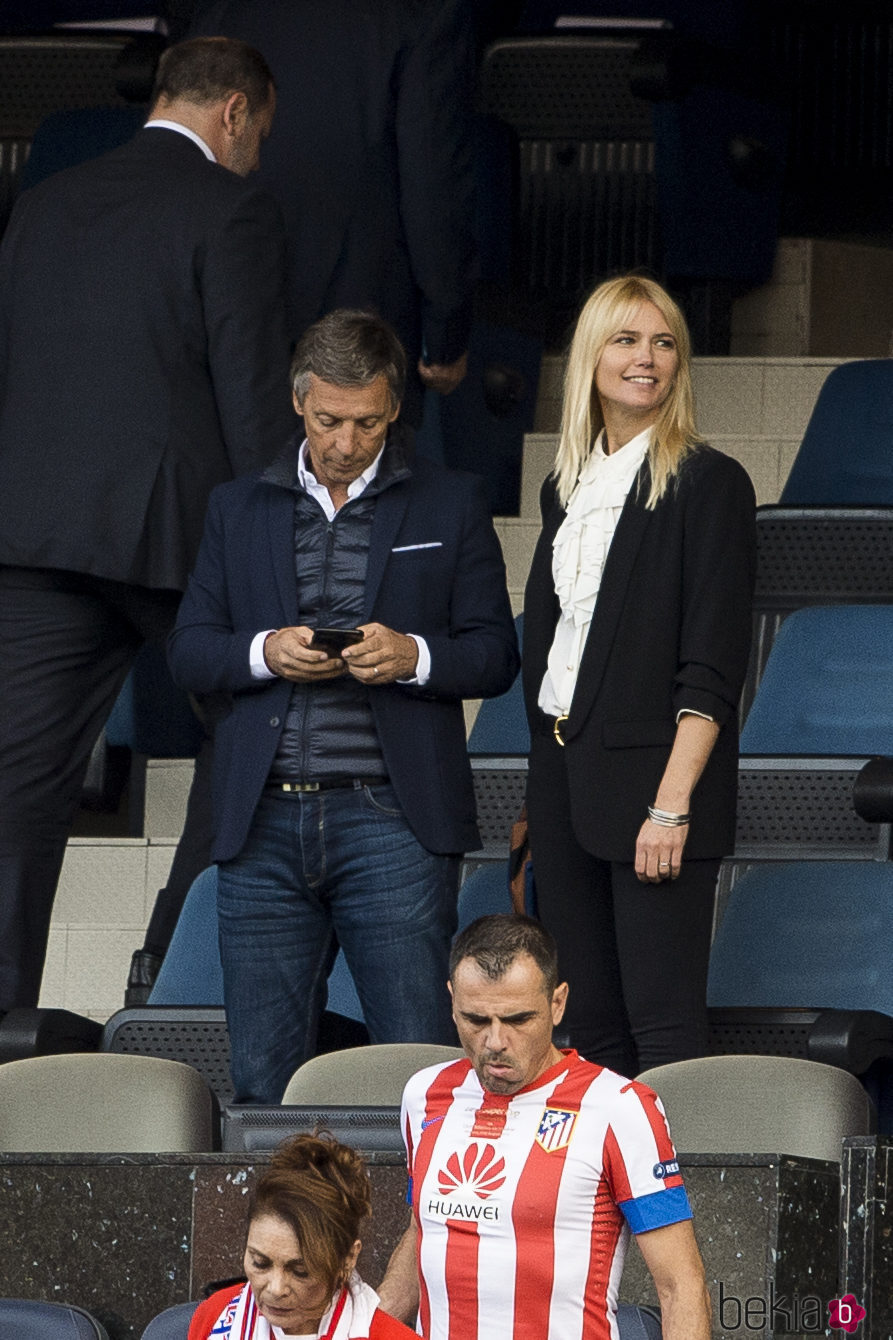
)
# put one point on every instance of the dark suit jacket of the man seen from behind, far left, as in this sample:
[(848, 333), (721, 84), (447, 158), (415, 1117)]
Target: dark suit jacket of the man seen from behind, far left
[(143, 358)]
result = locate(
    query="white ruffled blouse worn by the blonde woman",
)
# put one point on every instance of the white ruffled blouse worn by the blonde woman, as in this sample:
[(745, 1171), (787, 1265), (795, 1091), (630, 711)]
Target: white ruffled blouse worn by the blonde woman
[(580, 551)]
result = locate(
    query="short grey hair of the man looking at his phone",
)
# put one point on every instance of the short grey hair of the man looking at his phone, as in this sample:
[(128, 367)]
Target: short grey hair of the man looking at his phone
[(349, 349)]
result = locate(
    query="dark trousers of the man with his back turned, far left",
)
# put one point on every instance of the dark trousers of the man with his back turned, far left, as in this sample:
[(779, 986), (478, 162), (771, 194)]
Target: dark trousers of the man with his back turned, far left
[(66, 645)]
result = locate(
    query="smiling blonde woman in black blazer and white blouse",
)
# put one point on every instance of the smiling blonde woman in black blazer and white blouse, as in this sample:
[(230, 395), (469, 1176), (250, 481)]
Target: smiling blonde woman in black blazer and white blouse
[(638, 625)]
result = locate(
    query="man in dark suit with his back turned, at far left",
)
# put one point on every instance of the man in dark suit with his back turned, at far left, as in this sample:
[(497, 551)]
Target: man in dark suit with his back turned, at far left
[(143, 361)]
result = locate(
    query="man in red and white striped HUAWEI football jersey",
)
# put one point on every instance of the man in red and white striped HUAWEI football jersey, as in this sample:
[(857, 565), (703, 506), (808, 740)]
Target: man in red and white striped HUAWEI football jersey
[(530, 1168)]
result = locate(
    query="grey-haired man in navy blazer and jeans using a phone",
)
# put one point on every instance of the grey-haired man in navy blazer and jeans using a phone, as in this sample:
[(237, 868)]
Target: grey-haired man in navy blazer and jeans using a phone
[(344, 795)]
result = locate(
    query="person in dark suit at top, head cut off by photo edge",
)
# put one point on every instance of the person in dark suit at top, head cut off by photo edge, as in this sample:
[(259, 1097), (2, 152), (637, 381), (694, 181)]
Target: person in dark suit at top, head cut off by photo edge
[(371, 160)]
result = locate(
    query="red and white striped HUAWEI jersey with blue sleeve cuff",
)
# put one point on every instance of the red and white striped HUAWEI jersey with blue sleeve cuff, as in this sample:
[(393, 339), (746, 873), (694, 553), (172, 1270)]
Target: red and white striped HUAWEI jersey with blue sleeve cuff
[(525, 1203)]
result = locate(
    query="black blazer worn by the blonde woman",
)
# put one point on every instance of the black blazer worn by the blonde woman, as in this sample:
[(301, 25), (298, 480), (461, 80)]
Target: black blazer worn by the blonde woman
[(671, 630)]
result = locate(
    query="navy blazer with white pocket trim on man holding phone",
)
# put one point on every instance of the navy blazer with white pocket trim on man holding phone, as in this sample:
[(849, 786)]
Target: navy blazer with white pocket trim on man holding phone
[(435, 569)]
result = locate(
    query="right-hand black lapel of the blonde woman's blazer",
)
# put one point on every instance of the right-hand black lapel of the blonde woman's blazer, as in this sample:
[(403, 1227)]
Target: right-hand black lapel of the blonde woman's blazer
[(609, 604)]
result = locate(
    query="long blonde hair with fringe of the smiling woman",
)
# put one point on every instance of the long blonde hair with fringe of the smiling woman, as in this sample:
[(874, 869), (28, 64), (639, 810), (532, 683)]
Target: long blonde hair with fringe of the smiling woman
[(608, 310)]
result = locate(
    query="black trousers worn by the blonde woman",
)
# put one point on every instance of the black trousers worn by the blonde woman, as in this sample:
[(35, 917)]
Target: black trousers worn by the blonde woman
[(635, 955)]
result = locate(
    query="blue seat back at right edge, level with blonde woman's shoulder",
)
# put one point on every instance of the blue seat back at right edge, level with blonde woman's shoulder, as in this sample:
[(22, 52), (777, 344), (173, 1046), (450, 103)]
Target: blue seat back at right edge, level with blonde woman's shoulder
[(847, 455)]
